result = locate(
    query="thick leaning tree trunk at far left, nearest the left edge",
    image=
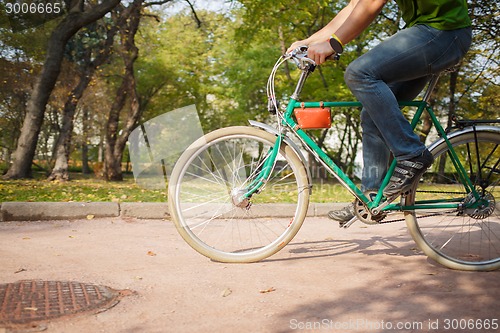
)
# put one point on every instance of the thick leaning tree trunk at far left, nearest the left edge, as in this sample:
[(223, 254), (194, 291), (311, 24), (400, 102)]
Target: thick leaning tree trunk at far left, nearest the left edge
[(26, 146)]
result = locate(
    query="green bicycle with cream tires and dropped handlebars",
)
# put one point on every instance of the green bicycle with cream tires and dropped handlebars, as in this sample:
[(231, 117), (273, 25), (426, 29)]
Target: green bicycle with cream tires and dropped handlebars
[(222, 185)]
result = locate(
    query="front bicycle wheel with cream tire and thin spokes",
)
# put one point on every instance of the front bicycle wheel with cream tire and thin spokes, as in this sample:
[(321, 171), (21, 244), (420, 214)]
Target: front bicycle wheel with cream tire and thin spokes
[(201, 196)]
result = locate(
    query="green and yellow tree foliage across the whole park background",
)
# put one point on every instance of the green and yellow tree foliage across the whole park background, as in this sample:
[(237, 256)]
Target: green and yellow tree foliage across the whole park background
[(223, 64)]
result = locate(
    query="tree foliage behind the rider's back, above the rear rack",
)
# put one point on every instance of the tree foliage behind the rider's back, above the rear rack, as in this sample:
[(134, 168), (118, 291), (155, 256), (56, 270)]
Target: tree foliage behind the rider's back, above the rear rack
[(461, 94)]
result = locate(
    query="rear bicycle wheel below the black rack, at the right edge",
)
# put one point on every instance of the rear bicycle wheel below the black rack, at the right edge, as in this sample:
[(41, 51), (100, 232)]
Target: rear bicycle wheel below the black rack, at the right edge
[(461, 239)]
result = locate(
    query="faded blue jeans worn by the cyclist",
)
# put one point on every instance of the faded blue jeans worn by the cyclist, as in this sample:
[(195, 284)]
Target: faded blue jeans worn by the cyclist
[(398, 69)]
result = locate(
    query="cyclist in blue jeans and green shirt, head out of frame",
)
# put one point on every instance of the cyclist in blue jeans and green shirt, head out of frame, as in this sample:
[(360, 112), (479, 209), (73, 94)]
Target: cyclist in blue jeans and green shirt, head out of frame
[(436, 36)]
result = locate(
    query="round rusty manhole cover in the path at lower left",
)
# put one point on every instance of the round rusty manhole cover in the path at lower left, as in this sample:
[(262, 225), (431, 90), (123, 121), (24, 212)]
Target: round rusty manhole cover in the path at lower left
[(25, 302)]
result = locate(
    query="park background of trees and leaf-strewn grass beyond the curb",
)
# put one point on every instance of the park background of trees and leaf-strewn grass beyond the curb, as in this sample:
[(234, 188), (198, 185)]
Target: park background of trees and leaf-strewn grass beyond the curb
[(75, 85)]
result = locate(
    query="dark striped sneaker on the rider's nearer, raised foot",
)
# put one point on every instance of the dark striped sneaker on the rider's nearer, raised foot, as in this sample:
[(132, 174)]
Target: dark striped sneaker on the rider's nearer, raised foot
[(406, 173)]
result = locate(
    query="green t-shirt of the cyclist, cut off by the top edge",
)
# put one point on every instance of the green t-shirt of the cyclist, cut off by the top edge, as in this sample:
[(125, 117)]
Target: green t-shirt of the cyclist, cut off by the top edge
[(439, 14)]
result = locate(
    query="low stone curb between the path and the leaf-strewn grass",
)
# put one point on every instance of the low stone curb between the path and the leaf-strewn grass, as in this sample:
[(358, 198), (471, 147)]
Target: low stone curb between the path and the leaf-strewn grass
[(40, 211)]
